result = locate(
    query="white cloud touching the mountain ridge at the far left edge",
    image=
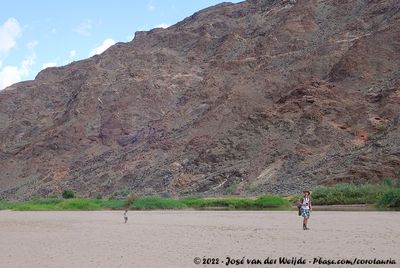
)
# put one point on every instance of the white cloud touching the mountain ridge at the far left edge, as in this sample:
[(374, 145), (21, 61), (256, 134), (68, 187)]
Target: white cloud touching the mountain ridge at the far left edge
[(13, 74)]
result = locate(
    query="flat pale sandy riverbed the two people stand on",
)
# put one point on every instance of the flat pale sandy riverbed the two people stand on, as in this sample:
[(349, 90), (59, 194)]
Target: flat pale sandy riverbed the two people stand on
[(175, 238)]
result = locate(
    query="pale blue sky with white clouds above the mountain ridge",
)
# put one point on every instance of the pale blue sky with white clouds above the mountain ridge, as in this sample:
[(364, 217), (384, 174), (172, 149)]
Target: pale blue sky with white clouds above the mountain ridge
[(41, 33)]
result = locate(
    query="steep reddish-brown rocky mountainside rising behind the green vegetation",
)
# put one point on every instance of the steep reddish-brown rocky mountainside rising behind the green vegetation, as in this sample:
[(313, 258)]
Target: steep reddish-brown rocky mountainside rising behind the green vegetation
[(255, 97)]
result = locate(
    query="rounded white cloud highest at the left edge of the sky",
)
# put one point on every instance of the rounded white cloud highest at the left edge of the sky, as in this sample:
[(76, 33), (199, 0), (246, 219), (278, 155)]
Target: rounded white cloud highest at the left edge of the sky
[(9, 32)]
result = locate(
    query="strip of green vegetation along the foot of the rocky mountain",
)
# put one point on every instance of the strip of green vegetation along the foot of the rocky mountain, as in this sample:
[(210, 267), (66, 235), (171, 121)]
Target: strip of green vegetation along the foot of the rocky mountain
[(385, 194)]
